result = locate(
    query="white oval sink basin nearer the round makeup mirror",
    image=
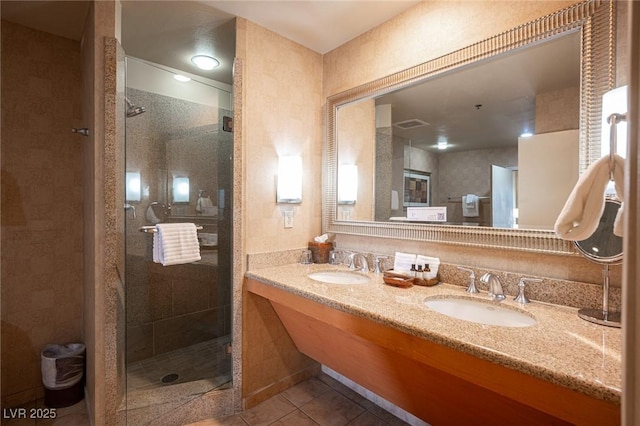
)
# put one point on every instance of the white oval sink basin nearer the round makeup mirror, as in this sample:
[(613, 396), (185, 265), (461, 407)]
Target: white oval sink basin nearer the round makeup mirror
[(480, 312)]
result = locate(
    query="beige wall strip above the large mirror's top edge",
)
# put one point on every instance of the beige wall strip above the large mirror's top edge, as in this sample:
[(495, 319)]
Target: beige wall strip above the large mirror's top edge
[(424, 32)]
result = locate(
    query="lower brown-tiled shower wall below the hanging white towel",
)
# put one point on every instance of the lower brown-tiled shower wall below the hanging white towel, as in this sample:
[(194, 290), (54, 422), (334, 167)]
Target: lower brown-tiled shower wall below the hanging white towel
[(172, 307)]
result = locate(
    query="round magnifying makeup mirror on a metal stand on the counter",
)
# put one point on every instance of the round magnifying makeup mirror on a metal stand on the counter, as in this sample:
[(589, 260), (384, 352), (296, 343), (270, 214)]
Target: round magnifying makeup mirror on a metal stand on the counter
[(605, 248)]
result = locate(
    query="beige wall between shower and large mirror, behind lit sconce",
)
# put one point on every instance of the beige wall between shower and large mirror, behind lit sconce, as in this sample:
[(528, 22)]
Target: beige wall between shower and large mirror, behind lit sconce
[(282, 115)]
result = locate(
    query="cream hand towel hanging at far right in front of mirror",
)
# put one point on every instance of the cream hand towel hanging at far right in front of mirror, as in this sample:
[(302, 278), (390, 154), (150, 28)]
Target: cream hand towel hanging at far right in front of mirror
[(581, 213)]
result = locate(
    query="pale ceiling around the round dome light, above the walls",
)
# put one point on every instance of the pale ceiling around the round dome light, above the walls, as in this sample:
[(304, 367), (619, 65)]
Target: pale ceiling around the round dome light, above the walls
[(168, 32)]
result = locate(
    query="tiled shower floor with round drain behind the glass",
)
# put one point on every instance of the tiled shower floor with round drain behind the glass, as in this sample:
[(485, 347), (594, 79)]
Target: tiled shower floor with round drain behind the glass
[(207, 360)]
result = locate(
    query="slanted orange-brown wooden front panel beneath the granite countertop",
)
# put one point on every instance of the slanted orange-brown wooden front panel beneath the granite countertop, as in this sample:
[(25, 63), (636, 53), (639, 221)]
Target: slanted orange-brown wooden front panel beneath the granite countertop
[(433, 382)]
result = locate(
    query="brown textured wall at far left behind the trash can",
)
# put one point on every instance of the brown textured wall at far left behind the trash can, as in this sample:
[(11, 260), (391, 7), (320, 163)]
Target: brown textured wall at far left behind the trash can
[(41, 204)]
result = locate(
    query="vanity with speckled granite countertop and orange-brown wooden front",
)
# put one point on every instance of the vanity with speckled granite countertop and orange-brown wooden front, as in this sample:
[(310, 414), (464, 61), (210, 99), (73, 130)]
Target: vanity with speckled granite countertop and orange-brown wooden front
[(561, 370)]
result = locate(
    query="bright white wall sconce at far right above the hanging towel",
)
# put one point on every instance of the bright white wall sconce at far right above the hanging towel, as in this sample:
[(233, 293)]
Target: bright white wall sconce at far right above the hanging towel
[(614, 102)]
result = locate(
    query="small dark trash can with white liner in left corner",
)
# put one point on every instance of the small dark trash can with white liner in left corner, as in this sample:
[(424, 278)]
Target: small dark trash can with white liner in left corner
[(62, 374)]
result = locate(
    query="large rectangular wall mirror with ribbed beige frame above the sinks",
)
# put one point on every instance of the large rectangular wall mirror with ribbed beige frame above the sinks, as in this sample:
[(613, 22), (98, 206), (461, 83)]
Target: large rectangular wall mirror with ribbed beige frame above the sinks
[(491, 185)]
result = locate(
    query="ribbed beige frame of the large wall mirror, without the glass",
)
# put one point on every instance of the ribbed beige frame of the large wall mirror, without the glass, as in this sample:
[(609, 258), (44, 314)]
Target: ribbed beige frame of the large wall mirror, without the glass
[(594, 19)]
